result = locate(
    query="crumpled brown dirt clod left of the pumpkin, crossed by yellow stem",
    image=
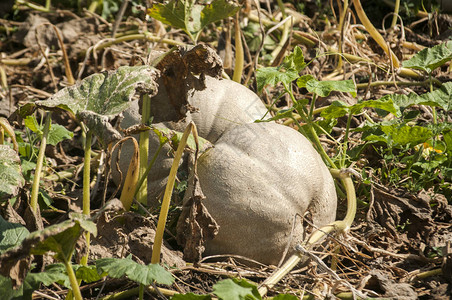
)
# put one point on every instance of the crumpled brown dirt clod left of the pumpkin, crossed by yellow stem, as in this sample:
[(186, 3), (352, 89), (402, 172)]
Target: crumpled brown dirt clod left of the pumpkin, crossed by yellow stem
[(119, 235)]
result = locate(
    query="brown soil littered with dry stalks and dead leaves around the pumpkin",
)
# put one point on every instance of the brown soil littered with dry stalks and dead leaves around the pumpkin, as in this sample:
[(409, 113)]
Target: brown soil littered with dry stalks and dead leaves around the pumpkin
[(400, 244)]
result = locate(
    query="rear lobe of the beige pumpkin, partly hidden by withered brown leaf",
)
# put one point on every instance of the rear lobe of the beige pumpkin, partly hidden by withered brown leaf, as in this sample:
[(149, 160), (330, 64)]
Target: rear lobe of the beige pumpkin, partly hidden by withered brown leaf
[(221, 105)]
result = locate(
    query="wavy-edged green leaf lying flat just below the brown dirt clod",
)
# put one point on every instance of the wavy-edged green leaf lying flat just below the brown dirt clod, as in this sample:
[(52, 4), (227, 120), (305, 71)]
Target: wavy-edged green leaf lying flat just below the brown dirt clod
[(144, 274)]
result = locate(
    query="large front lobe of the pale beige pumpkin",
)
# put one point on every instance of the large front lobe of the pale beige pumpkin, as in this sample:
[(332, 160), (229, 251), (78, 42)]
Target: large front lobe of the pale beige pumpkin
[(256, 179)]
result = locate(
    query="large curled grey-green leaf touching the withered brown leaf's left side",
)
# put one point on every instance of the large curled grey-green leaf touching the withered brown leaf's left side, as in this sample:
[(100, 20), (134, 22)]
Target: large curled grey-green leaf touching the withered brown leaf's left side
[(99, 98)]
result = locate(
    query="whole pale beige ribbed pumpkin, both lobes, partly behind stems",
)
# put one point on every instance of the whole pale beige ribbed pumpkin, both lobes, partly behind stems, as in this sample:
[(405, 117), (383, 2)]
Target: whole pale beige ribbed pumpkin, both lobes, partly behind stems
[(256, 178)]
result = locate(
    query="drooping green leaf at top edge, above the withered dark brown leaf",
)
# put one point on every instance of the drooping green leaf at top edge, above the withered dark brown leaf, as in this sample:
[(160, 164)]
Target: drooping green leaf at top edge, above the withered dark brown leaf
[(192, 17)]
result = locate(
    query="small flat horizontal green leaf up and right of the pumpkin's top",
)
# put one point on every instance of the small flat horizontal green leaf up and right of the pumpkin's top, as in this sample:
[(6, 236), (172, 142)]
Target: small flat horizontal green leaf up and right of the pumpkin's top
[(324, 88)]
